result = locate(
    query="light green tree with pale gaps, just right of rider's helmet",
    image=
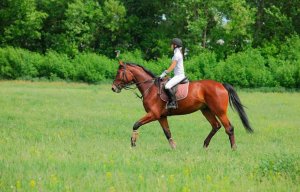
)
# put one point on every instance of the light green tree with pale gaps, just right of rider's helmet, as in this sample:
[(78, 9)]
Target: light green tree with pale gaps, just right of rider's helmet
[(222, 26)]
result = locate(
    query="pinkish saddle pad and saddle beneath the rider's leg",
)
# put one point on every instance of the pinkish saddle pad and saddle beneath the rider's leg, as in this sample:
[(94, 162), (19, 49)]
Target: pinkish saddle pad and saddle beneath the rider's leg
[(181, 90)]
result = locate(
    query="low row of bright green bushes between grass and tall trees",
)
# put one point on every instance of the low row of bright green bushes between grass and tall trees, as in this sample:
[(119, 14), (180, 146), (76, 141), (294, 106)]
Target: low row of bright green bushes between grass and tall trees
[(269, 67)]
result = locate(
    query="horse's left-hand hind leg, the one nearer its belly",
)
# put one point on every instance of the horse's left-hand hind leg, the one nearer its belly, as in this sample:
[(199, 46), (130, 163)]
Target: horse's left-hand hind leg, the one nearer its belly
[(214, 123)]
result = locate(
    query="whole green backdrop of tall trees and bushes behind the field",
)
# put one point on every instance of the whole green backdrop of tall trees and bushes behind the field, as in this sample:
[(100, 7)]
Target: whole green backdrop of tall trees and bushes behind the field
[(248, 43)]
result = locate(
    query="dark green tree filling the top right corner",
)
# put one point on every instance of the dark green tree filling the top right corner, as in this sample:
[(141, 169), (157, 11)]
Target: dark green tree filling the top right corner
[(275, 20)]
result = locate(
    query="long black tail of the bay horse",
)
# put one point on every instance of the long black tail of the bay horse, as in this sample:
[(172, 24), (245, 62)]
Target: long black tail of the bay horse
[(236, 104)]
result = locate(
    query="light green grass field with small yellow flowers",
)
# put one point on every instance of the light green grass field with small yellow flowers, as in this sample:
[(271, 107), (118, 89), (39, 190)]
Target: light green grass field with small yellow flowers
[(76, 137)]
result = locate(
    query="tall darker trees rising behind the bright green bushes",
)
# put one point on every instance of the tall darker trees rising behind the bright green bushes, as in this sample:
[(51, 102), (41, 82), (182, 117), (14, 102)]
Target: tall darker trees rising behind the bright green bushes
[(103, 26)]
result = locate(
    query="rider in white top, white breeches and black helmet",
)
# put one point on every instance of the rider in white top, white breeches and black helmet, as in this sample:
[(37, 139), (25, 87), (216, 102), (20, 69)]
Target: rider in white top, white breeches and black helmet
[(177, 66)]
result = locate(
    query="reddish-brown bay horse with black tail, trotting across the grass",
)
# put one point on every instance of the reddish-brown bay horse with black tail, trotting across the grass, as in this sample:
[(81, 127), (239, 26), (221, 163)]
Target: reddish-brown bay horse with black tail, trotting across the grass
[(208, 96)]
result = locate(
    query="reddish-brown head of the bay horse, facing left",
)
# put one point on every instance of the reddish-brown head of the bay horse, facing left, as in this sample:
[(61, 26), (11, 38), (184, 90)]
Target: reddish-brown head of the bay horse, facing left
[(123, 79)]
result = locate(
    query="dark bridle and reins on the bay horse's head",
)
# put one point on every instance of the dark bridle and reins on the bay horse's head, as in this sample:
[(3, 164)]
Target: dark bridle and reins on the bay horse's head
[(128, 86)]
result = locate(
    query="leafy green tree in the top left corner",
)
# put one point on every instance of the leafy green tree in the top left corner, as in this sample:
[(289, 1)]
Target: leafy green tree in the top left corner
[(21, 23)]
